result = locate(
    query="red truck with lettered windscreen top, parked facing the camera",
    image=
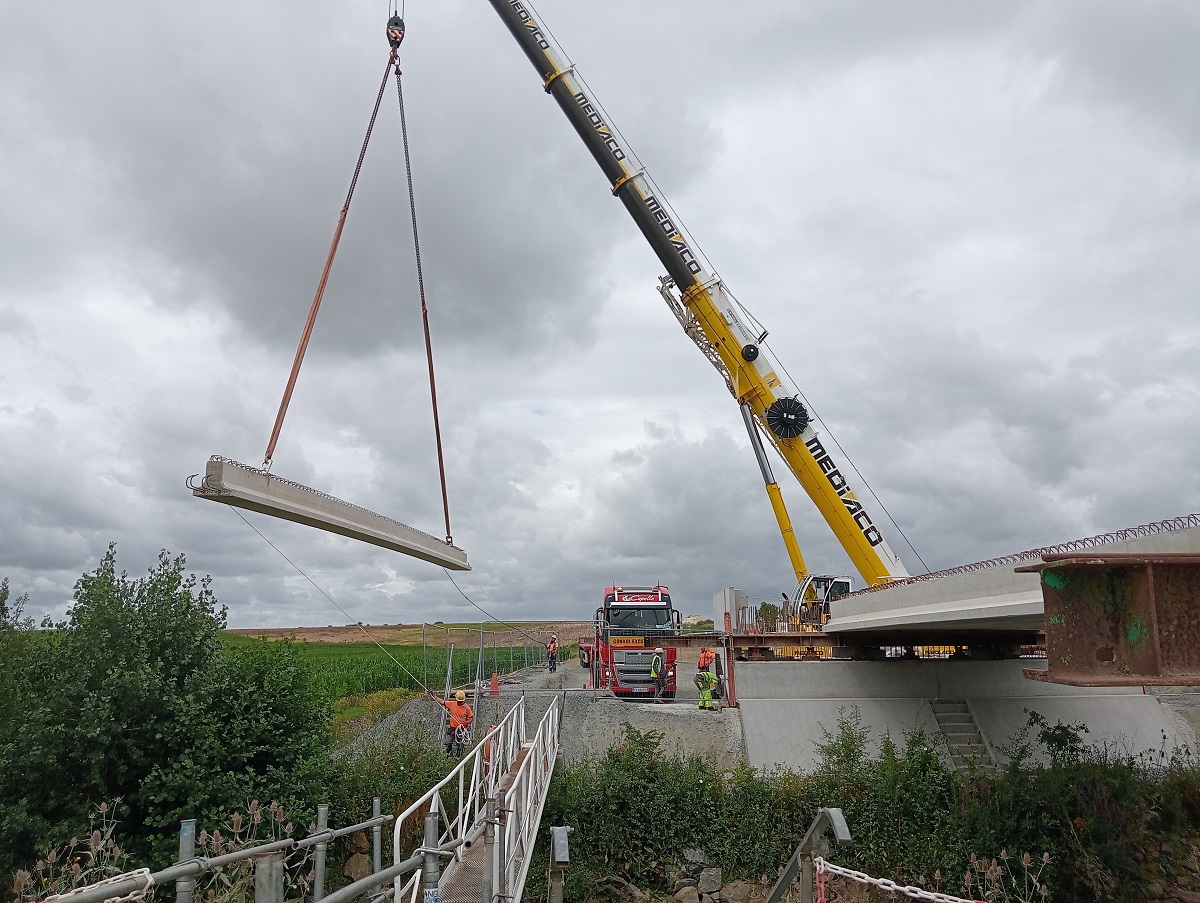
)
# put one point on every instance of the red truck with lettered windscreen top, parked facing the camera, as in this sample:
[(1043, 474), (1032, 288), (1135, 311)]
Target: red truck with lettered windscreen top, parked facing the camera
[(631, 623)]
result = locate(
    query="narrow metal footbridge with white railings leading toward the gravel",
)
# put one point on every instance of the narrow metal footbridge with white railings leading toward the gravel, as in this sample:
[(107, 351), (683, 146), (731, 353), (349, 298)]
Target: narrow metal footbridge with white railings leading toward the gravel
[(489, 809)]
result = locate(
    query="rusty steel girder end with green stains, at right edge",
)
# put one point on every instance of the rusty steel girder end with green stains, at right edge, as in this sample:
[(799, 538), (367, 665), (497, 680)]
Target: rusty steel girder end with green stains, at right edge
[(1120, 620)]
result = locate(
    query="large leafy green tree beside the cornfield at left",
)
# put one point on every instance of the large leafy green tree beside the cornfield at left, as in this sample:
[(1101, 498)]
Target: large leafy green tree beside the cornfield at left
[(135, 697)]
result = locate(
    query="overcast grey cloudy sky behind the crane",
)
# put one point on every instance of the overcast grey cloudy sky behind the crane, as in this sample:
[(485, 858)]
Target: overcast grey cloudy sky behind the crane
[(971, 229)]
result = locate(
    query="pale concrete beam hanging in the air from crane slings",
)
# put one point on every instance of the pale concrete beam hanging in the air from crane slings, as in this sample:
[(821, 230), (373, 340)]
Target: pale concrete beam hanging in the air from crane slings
[(244, 487)]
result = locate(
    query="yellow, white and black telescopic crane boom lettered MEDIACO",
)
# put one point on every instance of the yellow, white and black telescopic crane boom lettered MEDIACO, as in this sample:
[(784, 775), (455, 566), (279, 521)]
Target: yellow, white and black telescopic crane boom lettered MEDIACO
[(753, 376)]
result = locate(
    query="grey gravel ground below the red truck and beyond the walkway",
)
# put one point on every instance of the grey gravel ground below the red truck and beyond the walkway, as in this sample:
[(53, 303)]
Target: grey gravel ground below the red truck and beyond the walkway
[(593, 722)]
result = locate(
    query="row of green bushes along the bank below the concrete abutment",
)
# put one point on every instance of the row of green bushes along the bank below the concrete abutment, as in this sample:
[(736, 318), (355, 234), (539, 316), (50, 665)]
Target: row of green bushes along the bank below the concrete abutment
[(1079, 822)]
